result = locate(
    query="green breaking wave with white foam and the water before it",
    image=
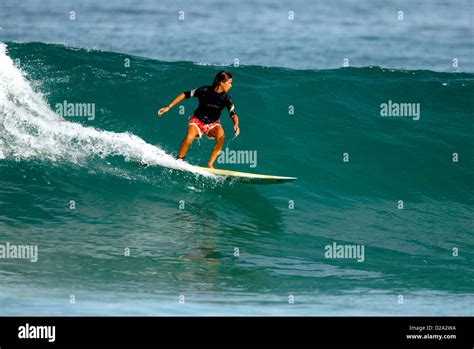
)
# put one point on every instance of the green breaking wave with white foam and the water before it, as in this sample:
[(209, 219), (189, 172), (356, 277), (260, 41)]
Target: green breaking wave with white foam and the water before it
[(399, 186)]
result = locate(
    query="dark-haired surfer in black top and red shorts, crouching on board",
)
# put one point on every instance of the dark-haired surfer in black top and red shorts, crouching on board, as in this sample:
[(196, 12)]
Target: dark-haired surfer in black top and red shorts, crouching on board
[(205, 120)]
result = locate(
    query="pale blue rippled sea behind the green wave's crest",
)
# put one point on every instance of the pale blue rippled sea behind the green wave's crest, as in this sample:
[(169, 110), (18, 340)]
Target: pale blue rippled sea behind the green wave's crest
[(303, 34)]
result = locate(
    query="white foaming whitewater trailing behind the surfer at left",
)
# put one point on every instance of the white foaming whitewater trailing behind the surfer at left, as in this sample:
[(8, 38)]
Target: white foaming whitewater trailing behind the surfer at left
[(29, 129)]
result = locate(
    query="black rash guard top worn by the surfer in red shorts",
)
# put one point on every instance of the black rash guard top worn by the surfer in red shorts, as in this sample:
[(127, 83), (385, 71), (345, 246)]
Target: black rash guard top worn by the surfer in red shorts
[(211, 103)]
